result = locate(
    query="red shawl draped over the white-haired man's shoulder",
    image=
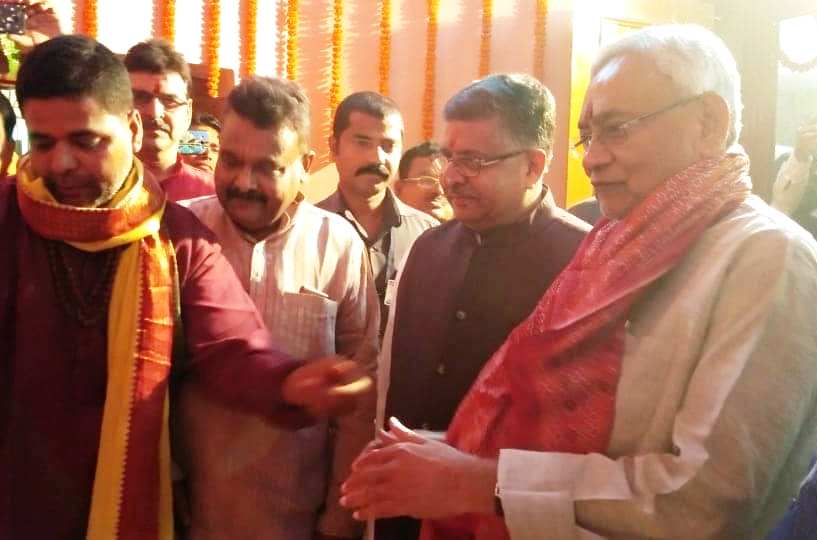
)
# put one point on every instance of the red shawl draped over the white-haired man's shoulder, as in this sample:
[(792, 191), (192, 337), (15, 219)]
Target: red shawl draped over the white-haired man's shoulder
[(552, 384)]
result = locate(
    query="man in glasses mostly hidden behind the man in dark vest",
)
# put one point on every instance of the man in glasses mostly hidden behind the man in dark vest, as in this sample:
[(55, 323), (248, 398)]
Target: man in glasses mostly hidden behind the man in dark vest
[(419, 183)]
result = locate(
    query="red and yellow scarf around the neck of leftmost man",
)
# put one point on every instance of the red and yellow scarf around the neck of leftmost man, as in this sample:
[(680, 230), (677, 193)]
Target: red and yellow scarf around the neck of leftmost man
[(132, 485)]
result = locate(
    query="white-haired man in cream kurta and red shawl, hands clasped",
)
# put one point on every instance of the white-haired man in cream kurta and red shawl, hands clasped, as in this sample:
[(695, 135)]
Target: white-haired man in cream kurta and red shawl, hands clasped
[(666, 384)]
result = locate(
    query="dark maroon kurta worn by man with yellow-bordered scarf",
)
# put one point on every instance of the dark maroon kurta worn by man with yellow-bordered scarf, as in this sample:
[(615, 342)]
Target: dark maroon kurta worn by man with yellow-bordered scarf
[(53, 371)]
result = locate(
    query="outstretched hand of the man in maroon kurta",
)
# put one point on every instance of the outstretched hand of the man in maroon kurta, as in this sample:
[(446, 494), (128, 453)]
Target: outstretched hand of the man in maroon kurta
[(329, 386)]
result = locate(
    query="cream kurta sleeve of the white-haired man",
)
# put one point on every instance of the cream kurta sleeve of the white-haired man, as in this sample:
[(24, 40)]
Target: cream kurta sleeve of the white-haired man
[(747, 413)]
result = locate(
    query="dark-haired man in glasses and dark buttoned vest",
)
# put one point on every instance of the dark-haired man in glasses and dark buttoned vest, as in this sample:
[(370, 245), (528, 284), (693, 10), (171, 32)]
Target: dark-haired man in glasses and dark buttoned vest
[(469, 282)]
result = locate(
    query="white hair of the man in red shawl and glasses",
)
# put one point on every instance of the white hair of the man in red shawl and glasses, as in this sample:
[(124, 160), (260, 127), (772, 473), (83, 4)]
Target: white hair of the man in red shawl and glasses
[(694, 58)]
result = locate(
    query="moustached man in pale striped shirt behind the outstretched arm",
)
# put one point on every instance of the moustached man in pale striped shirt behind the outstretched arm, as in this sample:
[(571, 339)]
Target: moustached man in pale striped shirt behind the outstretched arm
[(306, 270)]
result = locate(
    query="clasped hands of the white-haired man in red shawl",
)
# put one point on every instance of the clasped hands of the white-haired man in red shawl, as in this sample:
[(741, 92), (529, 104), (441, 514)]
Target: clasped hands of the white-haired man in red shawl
[(407, 474)]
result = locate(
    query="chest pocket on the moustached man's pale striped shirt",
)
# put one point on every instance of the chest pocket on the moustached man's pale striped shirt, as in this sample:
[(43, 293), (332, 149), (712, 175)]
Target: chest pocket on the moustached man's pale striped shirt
[(306, 325)]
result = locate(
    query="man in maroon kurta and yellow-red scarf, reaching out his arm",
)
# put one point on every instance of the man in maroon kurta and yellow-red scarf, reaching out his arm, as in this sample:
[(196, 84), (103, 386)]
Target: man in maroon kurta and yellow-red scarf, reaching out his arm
[(99, 273)]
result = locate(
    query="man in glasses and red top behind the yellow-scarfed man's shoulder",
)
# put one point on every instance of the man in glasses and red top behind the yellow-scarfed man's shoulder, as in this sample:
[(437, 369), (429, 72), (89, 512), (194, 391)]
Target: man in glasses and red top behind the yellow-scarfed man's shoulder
[(160, 80)]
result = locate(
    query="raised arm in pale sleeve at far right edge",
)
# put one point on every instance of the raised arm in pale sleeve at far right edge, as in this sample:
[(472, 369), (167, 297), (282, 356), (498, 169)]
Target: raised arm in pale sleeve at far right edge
[(795, 189)]
